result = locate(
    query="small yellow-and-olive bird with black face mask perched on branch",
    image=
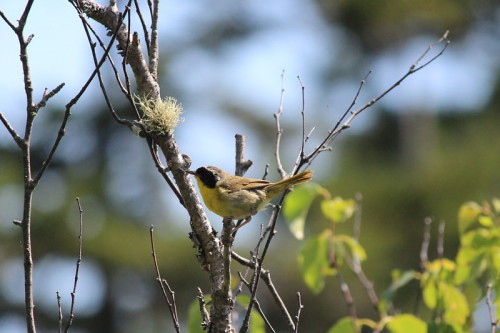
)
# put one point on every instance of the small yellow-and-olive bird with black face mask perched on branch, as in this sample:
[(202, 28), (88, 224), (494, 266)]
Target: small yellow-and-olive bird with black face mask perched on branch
[(239, 197)]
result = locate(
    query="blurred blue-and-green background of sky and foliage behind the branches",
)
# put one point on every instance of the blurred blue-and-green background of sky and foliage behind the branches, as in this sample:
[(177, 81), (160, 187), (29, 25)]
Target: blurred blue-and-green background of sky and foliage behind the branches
[(427, 148)]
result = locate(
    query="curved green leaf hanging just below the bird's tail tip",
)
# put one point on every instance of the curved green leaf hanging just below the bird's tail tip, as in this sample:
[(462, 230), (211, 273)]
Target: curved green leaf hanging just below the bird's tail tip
[(297, 205)]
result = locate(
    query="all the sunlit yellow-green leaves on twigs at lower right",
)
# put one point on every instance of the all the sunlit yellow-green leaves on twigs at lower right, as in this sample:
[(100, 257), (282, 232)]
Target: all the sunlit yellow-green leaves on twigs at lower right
[(450, 288)]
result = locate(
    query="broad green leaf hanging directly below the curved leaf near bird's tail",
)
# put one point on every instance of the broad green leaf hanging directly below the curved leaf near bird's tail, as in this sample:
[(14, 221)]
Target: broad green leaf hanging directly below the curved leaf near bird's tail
[(314, 263)]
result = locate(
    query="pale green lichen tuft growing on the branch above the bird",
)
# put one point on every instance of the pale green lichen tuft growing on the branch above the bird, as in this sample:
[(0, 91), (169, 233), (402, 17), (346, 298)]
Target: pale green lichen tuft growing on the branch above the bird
[(160, 116)]
